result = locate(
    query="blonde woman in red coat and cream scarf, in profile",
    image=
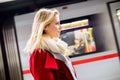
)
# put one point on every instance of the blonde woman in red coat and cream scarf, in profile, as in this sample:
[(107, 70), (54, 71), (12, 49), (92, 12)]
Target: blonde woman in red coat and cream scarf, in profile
[(48, 60)]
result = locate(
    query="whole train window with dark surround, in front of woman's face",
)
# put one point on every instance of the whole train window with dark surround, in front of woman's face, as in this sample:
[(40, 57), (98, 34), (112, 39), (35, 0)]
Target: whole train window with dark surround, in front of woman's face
[(79, 35)]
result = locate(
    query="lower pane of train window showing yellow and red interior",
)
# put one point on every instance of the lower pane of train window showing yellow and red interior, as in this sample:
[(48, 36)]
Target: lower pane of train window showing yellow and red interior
[(80, 41)]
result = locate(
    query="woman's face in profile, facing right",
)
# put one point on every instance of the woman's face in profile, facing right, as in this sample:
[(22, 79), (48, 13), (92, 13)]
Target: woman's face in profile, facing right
[(54, 28)]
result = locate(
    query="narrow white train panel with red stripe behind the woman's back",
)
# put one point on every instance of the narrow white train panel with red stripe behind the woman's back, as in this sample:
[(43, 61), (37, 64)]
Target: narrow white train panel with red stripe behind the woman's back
[(23, 26)]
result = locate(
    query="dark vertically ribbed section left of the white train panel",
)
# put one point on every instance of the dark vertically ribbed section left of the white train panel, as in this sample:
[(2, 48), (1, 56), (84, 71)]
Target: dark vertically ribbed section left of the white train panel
[(11, 61)]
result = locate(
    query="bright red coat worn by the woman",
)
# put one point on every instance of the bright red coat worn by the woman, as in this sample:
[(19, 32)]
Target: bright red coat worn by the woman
[(44, 66)]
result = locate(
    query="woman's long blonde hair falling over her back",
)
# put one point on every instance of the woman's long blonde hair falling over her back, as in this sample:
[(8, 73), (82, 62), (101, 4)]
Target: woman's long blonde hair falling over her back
[(42, 18)]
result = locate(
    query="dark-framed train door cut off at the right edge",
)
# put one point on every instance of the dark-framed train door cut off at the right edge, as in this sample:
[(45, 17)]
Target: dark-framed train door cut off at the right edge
[(114, 10)]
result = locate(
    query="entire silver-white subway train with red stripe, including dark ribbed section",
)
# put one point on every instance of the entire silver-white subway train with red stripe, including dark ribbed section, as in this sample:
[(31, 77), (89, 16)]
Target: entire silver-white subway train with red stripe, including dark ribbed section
[(95, 23)]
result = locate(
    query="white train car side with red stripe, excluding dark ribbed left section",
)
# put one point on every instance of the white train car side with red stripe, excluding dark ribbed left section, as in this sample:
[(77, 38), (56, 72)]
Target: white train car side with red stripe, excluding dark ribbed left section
[(87, 31)]
